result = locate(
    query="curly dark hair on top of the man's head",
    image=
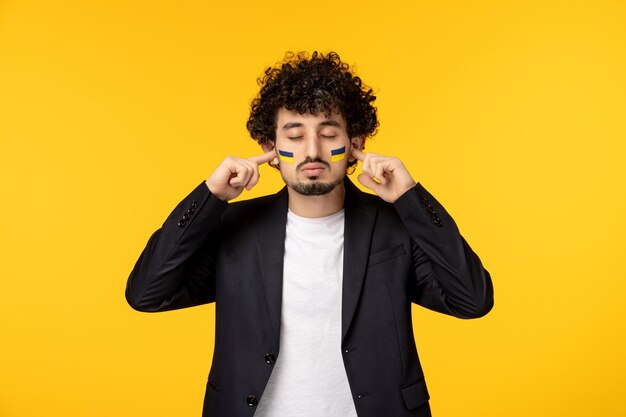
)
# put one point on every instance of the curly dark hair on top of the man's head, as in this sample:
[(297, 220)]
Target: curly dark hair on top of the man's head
[(316, 84)]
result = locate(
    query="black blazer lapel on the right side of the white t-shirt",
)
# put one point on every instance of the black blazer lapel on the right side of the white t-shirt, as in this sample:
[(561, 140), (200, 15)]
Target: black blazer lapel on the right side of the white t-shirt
[(360, 216)]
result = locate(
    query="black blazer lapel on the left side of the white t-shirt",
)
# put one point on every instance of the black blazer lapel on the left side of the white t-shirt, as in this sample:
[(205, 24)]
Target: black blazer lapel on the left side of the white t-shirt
[(270, 229)]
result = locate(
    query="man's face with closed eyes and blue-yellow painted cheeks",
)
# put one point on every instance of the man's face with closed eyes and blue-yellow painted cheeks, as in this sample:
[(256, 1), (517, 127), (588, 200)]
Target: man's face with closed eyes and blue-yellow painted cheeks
[(313, 150)]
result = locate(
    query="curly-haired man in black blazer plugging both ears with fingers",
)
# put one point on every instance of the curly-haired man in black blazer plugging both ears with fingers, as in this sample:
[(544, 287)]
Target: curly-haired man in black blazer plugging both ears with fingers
[(313, 285)]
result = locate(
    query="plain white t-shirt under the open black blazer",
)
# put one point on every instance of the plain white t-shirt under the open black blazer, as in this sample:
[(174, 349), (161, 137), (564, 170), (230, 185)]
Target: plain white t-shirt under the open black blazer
[(309, 378)]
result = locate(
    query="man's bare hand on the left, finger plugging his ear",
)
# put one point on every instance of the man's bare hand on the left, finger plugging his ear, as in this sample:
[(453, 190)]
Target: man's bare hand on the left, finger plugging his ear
[(234, 174)]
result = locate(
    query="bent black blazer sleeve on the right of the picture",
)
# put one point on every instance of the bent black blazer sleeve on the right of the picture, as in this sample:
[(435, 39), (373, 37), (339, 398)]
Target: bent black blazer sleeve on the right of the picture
[(449, 276)]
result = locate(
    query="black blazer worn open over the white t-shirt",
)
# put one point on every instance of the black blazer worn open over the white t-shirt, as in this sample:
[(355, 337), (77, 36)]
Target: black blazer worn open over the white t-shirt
[(232, 253)]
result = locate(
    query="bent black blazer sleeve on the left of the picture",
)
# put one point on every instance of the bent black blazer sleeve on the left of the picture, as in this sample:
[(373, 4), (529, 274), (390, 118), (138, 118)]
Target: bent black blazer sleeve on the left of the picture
[(177, 267)]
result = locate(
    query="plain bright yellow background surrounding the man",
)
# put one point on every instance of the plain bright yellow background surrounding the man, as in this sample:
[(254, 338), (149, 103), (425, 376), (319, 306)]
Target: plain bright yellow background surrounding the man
[(512, 113)]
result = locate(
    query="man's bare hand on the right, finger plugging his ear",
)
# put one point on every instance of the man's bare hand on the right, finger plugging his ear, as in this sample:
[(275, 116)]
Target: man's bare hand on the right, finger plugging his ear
[(385, 175)]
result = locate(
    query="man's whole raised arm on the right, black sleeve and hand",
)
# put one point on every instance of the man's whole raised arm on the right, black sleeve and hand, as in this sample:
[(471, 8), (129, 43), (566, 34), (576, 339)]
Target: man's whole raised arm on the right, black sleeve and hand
[(449, 275)]
